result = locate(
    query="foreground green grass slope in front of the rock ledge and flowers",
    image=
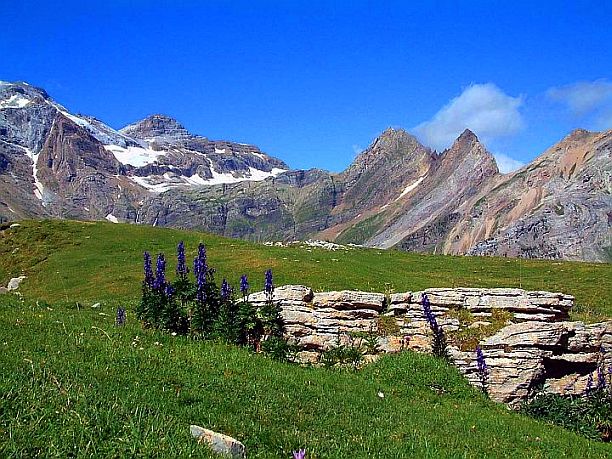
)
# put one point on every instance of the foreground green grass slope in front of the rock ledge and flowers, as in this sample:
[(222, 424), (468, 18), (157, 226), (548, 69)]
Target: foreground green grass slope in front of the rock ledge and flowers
[(74, 385)]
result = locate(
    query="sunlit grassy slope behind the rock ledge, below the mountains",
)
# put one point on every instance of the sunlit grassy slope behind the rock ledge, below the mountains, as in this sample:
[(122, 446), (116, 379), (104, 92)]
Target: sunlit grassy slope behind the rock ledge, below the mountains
[(91, 262)]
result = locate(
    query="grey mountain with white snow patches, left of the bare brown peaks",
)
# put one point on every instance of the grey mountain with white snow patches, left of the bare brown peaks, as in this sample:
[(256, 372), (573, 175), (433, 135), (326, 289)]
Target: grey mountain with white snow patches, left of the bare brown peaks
[(56, 164)]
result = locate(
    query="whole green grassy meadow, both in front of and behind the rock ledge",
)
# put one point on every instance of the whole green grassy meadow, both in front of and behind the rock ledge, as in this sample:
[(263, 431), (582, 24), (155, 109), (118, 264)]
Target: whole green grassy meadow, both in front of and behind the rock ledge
[(72, 384)]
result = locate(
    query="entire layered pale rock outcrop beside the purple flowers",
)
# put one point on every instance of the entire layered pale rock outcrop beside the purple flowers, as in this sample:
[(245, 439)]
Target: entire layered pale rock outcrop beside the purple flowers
[(535, 347)]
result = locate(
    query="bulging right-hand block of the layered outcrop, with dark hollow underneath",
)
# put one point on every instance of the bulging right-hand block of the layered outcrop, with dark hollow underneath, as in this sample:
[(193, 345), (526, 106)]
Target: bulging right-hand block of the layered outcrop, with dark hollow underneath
[(559, 357)]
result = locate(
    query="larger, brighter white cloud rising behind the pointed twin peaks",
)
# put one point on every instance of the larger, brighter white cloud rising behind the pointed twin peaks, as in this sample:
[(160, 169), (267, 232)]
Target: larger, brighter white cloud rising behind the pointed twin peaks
[(483, 108)]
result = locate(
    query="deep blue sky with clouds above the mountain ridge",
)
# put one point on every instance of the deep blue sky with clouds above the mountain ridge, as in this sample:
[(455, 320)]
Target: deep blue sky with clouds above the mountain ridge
[(314, 82)]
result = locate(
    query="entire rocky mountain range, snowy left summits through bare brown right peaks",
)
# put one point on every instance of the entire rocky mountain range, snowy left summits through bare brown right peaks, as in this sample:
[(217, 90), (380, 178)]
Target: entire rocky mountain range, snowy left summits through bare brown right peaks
[(396, 194)]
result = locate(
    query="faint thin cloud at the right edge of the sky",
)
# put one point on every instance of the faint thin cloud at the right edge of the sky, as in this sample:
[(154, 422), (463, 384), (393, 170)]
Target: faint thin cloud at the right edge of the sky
[(583, 97)]
